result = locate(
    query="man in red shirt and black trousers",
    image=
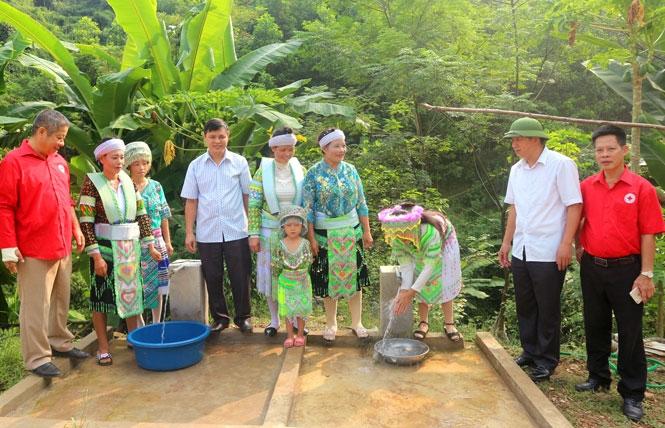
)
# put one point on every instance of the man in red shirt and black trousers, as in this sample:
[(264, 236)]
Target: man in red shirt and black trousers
[(621, 216)]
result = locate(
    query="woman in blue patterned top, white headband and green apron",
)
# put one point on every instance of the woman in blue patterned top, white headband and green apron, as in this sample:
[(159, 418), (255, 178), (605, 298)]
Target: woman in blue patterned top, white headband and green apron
[(338, 232)]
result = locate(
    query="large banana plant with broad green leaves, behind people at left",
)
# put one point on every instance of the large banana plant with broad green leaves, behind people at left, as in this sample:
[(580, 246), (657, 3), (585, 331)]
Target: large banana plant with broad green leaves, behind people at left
[(136, 100)]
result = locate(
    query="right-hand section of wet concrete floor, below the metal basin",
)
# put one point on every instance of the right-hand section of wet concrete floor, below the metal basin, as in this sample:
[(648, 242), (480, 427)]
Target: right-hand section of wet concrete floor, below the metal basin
[(344, 387)]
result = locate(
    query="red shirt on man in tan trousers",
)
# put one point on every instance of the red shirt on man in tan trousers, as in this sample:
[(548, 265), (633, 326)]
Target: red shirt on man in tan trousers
[(35, 204)]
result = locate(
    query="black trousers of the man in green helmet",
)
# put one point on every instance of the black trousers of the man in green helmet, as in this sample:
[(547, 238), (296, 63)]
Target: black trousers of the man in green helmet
[(538, 288)]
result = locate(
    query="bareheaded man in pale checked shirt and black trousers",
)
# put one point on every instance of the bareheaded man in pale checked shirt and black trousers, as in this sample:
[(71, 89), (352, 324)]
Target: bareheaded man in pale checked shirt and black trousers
[(216, 190)]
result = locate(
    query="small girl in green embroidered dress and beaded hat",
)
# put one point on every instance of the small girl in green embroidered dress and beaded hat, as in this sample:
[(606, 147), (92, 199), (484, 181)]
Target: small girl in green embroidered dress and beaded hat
[(291, 258)]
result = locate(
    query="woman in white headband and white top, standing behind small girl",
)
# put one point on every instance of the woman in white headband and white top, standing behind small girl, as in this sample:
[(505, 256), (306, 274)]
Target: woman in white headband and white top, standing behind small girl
[(277, 184)]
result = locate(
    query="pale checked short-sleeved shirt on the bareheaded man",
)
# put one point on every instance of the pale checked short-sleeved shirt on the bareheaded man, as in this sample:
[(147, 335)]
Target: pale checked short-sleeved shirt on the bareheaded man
[(219, 189)]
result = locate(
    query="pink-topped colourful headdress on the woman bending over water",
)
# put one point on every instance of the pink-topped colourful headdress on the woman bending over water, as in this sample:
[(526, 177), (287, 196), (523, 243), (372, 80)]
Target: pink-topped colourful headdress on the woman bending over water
[(401, 222)]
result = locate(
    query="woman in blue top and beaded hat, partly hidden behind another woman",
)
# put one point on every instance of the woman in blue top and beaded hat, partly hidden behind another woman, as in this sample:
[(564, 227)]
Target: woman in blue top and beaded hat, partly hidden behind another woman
[(138, 159)]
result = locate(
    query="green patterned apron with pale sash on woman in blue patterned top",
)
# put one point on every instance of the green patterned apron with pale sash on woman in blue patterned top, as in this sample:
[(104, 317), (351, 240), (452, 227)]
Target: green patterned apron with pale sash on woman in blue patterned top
[(341, 247)]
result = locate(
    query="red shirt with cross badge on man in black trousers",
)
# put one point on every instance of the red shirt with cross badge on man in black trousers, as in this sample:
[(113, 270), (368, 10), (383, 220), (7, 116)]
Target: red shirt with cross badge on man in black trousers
[(615, 218)]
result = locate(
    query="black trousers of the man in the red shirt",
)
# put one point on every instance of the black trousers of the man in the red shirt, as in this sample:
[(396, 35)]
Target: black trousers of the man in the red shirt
[(606, 290)]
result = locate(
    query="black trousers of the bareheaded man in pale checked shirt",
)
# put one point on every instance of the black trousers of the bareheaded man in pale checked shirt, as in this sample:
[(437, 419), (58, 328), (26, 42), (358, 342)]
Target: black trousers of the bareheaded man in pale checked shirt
[(236, 256)]
